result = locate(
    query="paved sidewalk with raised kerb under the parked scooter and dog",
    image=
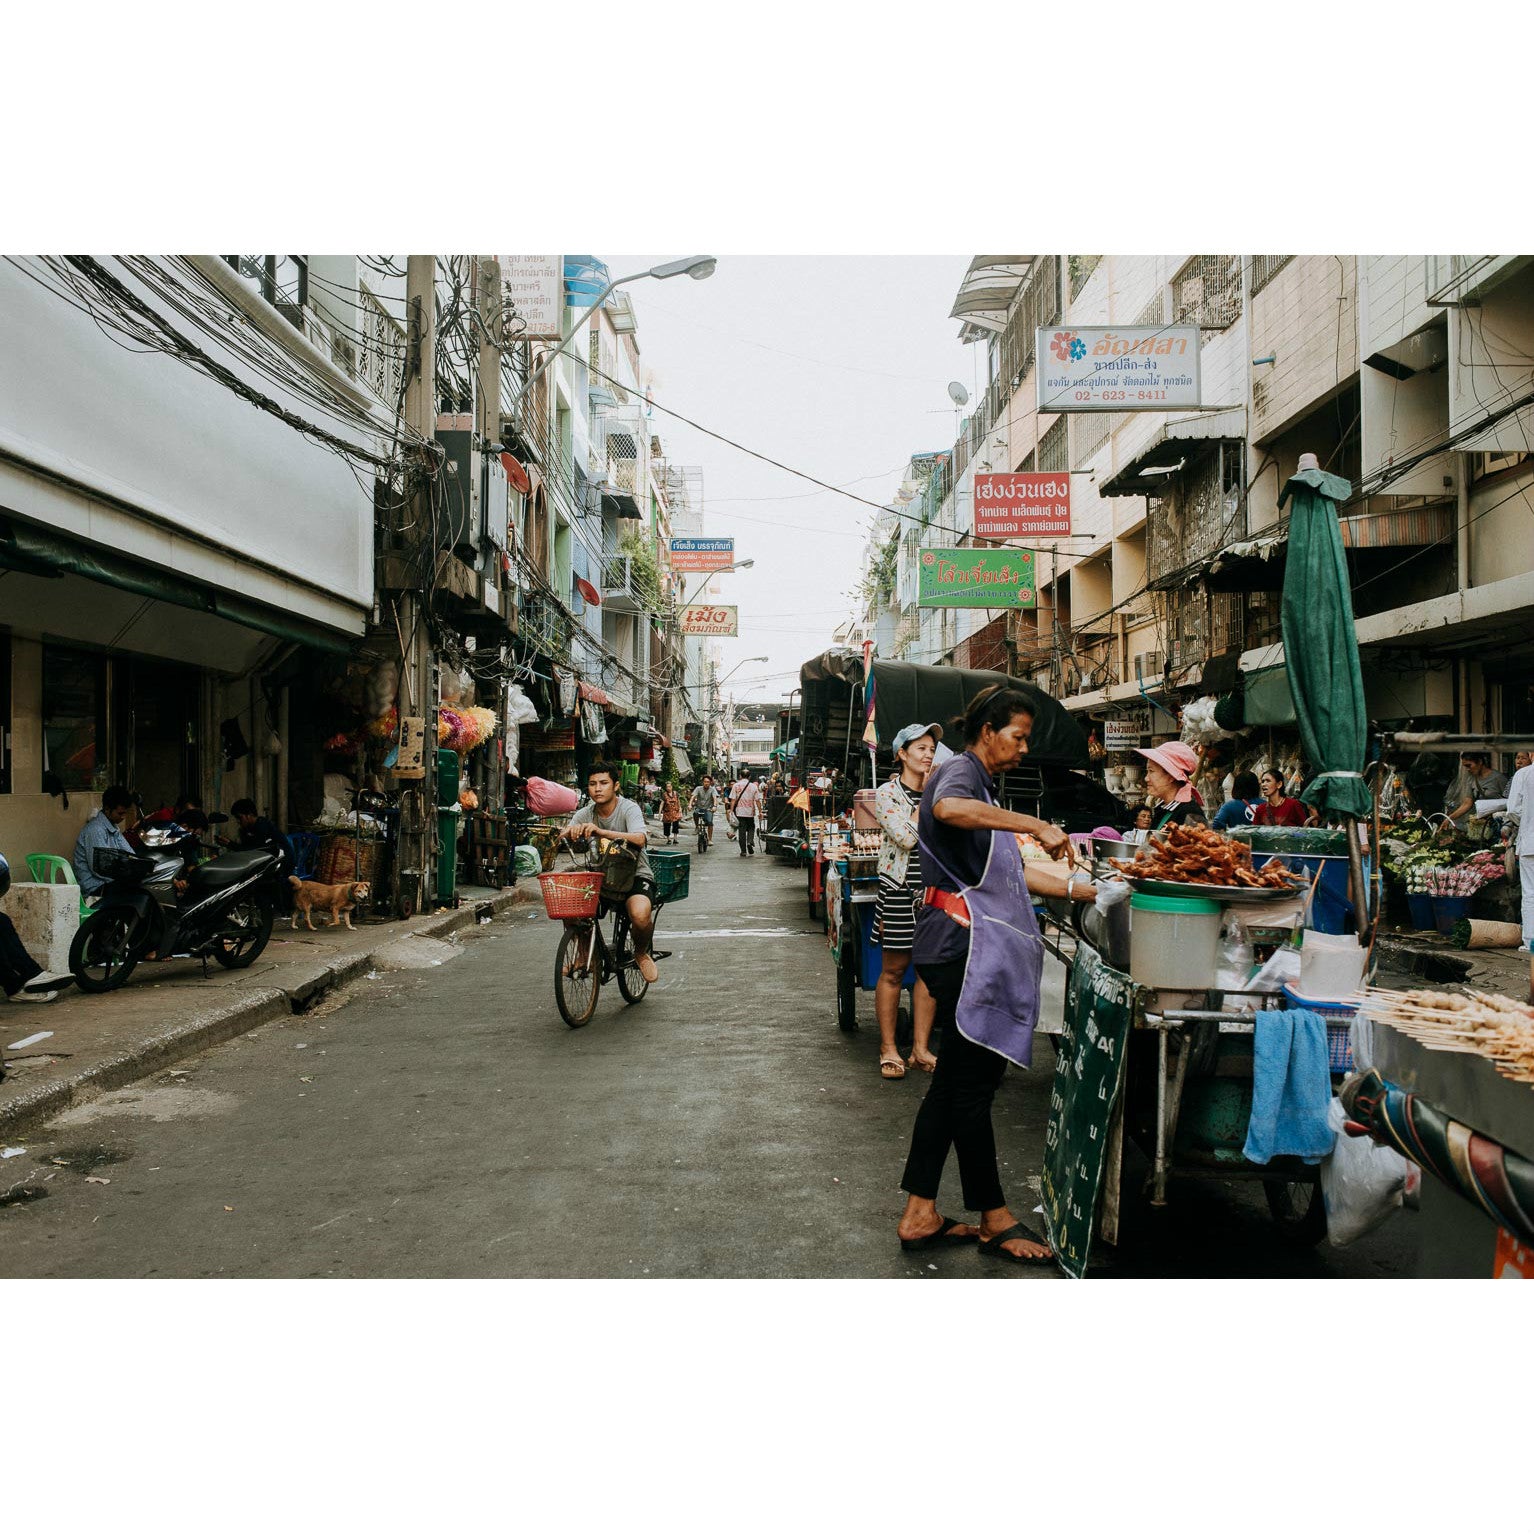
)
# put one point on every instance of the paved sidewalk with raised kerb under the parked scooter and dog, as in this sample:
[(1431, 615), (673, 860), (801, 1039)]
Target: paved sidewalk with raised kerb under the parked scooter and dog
[(168, 1012)]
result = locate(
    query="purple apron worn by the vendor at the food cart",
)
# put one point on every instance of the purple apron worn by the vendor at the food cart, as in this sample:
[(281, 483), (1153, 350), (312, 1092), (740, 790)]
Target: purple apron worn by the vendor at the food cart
[(999, 1002)]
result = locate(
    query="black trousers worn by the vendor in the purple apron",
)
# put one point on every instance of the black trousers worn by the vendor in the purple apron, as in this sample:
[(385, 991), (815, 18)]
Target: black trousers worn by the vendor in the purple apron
[(958, 1107)]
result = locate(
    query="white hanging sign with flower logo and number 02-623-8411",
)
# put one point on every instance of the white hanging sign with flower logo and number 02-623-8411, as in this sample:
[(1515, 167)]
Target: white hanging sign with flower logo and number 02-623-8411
[(1118, 367)]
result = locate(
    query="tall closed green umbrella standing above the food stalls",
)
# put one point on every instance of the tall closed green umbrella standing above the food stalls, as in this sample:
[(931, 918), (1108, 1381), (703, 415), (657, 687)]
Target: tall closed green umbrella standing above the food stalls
[(1322, 645)]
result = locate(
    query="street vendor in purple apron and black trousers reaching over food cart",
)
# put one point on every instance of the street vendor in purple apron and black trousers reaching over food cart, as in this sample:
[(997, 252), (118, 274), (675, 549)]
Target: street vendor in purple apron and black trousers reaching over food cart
[(979, 952)]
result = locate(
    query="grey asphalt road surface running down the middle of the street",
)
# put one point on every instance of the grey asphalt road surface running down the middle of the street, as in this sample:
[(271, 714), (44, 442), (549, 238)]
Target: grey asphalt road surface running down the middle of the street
[(441, 1121)]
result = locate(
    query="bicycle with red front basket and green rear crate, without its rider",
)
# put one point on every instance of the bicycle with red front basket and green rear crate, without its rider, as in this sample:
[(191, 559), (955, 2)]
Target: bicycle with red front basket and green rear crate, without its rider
[(597, 944)]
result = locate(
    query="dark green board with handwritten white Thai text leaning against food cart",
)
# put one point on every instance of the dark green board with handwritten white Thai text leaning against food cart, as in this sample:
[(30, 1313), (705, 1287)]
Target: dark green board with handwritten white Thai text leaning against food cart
[(1090, 1075)]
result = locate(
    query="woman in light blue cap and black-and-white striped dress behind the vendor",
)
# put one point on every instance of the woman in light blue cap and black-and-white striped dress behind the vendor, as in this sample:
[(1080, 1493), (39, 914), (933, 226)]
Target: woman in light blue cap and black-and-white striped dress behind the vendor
[(901, 889)]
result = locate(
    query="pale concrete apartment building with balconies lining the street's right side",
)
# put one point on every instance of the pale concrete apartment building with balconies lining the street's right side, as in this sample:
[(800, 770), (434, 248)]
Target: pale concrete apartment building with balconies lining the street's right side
[(1412, 377)]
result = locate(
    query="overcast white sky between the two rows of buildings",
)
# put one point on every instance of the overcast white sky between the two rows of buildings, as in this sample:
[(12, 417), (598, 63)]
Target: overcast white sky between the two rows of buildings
[(837, 366)]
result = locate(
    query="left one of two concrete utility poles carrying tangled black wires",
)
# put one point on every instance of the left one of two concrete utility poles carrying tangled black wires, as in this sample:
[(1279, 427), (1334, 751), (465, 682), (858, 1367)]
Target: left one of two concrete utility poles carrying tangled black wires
[(418, 837)]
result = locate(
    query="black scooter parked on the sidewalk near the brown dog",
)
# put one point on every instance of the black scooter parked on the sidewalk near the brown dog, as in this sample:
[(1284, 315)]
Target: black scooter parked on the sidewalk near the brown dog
[(223, 912)]
